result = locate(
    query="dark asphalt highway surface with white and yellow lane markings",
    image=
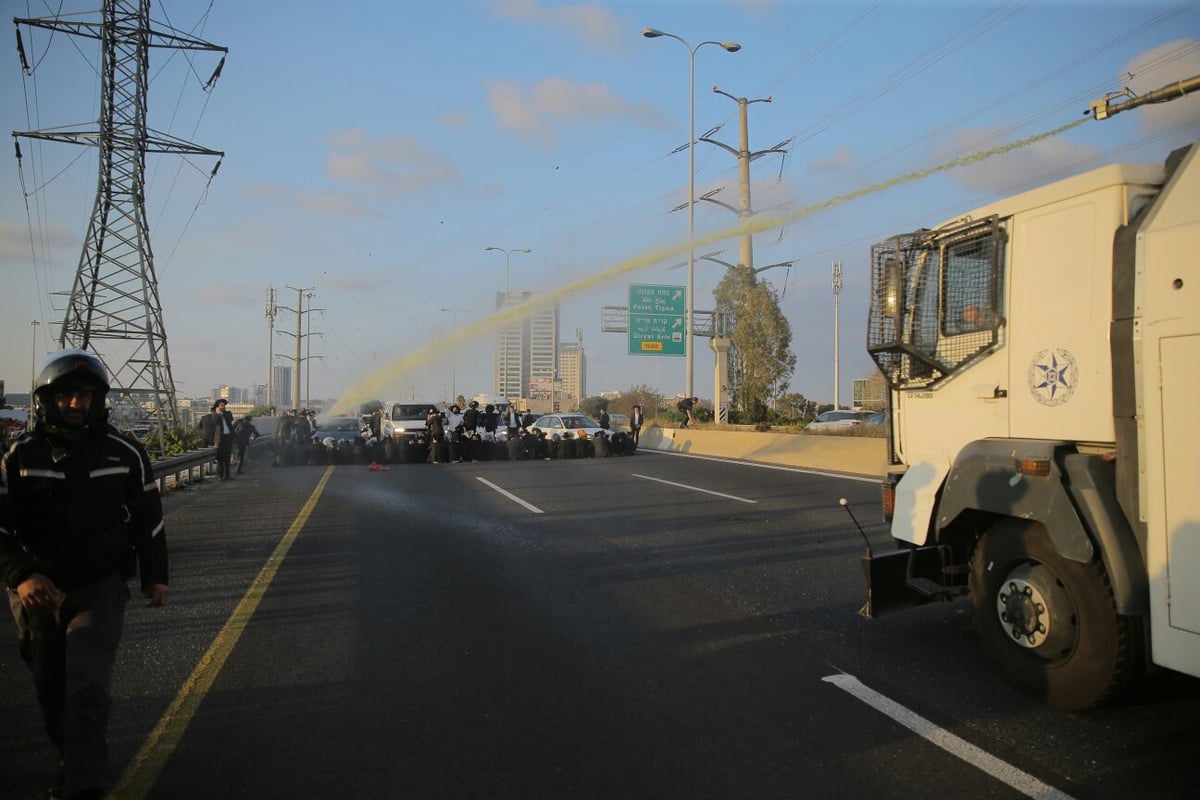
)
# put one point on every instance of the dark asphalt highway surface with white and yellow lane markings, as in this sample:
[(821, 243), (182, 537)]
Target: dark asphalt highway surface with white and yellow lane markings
[(651, 627)]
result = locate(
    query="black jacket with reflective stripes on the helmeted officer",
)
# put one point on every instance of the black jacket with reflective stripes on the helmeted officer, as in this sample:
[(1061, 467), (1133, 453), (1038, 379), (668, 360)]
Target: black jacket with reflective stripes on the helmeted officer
[(80, 510)]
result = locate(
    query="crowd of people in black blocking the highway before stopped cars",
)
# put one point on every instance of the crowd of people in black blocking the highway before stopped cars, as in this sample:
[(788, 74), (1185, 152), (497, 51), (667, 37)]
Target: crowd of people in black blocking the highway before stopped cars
[(457, 436)]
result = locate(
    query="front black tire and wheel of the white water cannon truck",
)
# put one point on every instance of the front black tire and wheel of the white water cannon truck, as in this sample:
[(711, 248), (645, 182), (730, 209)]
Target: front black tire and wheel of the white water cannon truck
[(1048, 623)]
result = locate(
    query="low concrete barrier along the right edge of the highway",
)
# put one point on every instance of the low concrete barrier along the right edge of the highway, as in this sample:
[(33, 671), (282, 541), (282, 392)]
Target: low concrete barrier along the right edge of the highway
[(855, 455)]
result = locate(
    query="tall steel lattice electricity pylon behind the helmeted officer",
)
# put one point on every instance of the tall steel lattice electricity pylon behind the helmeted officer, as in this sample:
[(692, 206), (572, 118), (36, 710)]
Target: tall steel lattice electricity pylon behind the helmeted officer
[(115, 309)]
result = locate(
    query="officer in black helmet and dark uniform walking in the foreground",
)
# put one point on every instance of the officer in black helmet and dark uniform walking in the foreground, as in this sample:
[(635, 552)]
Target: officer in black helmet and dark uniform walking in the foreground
[(80, 516)]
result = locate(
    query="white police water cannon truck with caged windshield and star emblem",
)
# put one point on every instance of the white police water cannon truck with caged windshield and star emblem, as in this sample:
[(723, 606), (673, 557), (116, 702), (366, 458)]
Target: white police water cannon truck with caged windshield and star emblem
[(1042, 357)]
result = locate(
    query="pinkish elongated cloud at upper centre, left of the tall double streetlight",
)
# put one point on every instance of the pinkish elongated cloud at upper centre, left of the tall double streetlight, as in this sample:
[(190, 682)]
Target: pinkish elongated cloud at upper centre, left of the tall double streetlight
[(557, 101)]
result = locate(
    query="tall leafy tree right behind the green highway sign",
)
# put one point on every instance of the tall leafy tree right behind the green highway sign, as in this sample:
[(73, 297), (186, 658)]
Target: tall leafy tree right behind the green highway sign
[(761, 360)]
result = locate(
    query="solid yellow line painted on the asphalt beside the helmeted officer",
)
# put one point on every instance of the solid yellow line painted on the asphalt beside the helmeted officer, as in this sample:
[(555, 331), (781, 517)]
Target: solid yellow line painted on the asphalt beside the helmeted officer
[(141, 775)]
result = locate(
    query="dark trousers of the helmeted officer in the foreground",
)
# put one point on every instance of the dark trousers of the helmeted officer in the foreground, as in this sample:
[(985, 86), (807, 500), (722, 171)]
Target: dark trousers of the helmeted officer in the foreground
[(71, 654)]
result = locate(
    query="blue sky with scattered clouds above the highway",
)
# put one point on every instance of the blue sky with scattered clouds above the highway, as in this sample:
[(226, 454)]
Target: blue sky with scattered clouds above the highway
[(374, 152)]
